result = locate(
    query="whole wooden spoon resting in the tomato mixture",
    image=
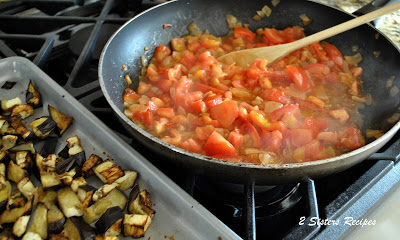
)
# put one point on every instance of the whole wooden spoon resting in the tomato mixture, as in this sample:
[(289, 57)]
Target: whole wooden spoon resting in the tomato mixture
[(245, 57)]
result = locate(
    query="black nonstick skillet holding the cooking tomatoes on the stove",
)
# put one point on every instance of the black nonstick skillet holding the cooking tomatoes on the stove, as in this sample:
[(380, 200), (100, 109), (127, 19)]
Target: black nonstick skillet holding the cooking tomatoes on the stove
[(127, 45)]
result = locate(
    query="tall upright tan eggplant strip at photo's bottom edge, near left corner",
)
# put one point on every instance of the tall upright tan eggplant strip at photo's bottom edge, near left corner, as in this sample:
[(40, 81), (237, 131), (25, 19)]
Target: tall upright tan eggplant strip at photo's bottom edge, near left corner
[(38, 221)]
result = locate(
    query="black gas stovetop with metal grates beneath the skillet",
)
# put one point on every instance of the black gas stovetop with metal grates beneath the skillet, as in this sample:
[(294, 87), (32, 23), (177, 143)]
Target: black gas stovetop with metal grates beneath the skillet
[(65, 38)]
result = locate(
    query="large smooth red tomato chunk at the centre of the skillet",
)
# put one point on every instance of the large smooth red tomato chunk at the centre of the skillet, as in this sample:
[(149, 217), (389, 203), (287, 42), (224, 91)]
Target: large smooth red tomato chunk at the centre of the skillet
[(225, 113)]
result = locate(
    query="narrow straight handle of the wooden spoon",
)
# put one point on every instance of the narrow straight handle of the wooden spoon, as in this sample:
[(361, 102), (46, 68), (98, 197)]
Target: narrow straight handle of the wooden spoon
[(343, 27)]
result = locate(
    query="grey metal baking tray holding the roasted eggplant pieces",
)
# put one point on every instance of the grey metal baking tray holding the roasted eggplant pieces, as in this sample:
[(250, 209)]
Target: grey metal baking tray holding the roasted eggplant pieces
[(178, 215)]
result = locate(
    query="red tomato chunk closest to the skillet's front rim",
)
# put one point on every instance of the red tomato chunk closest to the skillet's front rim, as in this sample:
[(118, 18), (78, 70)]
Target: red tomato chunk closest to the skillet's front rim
[(217, 145)]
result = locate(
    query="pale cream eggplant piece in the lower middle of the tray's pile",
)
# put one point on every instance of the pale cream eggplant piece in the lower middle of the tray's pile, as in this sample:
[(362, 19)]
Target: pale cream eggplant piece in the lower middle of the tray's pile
[(69, 202)]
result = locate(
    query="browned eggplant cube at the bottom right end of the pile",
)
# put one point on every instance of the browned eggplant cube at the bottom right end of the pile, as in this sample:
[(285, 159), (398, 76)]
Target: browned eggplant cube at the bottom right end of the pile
[(135, 225)]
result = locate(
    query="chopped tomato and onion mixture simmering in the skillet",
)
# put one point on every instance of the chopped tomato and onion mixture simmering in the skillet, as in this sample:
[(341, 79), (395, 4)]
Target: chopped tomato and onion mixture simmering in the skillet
[(298, 109)]
